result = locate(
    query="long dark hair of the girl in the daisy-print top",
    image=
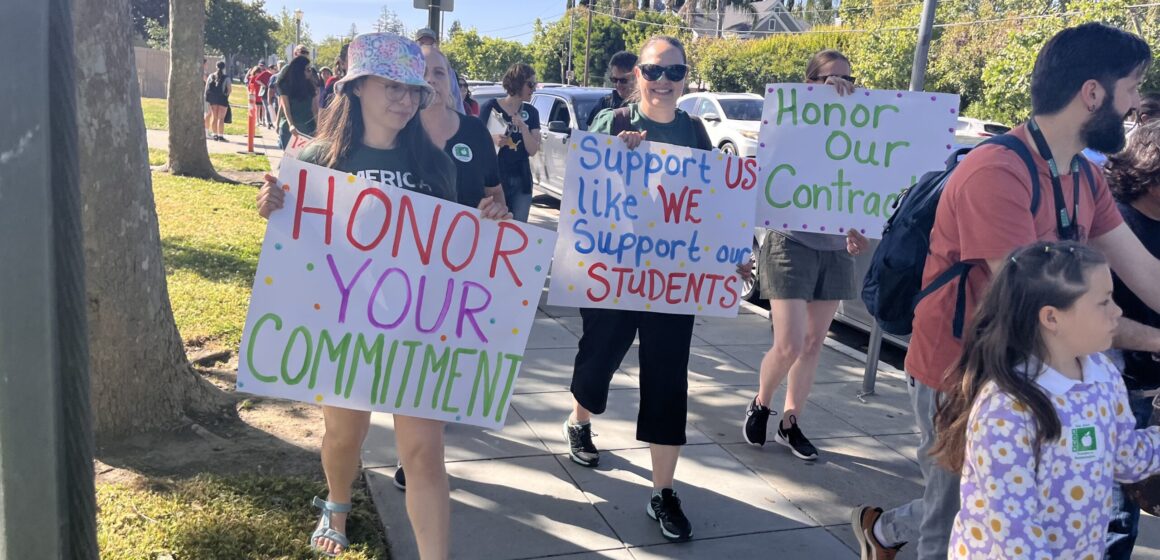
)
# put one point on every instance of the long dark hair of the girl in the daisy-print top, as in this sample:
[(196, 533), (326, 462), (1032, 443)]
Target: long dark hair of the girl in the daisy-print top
[(1005, 345)]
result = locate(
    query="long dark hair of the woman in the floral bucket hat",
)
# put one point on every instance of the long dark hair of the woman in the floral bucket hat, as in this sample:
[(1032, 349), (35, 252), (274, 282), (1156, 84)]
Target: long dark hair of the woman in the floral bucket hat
[(342, 129)]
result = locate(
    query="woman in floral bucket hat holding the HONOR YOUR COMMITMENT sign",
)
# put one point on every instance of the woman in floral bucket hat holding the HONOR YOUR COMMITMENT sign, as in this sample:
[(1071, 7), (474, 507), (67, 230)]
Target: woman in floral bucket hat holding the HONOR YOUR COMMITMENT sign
[(373, 129)]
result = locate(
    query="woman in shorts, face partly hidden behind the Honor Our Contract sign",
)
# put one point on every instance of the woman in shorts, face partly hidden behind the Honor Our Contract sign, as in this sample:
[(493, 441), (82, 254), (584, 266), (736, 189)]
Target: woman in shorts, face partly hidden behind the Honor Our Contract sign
[(804, 277)]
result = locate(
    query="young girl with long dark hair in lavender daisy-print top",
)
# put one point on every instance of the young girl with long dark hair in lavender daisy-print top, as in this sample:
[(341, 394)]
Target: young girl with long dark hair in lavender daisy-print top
[(1040, 426)]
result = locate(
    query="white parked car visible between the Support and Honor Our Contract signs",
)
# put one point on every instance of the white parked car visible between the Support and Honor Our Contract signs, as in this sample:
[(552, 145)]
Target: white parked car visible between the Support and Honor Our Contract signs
[(731, 120)]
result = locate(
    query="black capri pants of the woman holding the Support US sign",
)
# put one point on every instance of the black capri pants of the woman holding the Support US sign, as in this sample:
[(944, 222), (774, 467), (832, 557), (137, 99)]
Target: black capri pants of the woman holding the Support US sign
[(665, 341)]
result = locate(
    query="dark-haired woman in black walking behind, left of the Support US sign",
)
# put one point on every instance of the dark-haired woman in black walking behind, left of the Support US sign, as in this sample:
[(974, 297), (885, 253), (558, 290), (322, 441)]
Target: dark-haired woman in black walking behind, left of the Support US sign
[(521, 141)]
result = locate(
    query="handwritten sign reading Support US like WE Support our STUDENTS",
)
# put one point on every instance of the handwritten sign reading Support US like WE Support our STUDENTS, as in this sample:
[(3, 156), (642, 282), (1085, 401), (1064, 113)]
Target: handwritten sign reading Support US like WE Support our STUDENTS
[(657, 229)]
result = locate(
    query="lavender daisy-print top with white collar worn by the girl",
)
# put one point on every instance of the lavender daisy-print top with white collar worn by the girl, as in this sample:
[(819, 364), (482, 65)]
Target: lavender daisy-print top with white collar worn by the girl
[(1055, 506)]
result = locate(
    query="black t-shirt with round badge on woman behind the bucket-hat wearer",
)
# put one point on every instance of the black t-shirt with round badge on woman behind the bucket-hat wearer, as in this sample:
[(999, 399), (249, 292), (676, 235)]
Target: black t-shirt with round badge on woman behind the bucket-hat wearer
[(474, 155)]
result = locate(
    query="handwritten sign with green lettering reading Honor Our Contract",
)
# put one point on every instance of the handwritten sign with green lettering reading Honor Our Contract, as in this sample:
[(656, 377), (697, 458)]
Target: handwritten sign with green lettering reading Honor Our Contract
[(832, 163)]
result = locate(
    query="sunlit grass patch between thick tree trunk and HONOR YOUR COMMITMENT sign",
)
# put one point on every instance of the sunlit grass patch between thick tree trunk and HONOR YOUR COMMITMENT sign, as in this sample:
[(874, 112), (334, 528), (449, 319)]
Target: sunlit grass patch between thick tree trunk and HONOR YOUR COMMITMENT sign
[(211, 238)]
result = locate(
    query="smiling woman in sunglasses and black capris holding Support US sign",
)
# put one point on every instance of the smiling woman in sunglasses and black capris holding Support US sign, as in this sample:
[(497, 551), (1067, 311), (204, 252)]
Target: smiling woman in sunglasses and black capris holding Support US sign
[(665, 339)]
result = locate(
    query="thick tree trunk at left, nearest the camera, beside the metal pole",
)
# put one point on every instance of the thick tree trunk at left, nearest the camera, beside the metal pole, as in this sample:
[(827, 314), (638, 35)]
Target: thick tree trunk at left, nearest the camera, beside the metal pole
[(141, 377)]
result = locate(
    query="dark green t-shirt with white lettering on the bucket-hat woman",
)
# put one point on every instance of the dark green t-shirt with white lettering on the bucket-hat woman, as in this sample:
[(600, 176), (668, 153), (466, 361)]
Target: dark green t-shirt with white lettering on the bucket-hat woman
[(390, 168)]
